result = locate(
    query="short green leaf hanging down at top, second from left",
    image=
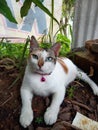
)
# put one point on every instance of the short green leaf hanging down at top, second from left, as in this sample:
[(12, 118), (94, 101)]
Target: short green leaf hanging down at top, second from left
[(25, 8)]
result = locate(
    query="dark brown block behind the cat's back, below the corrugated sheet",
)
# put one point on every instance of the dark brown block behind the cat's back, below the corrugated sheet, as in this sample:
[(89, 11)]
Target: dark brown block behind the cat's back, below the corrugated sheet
[(85, 61)]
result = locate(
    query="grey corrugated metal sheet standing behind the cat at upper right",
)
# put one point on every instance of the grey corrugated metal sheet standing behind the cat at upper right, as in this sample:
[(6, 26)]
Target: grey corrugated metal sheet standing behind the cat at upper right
[(85, 22)]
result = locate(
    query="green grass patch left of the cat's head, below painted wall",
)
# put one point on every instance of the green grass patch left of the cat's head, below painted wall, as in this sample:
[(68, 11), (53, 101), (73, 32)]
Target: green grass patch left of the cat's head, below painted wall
[(18, 52)]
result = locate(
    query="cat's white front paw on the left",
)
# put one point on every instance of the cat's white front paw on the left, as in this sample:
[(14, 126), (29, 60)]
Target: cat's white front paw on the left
[(26, 118)]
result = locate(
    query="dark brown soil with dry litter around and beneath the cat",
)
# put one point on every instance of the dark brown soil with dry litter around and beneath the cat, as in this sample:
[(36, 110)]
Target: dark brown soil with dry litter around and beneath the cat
[(79, 97)]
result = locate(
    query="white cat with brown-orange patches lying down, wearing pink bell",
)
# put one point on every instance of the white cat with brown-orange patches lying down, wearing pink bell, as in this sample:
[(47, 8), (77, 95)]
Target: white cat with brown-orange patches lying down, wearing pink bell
[(47, 74)]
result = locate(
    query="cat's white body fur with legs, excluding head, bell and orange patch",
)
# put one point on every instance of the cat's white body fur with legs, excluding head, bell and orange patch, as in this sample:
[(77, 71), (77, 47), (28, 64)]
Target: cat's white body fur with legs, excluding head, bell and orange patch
[(55, 84)]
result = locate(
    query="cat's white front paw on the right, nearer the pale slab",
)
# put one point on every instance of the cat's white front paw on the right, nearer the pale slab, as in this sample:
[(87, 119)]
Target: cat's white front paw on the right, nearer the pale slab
[(50, 116)]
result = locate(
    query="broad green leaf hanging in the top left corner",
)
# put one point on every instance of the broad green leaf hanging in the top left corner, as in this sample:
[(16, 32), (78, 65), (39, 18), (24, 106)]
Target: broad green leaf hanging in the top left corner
[(5, 10)]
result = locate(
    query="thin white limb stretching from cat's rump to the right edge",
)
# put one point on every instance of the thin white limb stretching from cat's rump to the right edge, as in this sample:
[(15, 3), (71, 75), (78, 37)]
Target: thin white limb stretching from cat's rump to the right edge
[(83, 76)]
